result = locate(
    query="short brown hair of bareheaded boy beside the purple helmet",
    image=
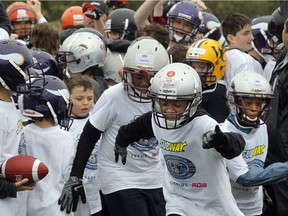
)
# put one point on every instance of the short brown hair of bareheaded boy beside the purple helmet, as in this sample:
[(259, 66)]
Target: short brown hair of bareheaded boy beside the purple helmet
[(78, 81)]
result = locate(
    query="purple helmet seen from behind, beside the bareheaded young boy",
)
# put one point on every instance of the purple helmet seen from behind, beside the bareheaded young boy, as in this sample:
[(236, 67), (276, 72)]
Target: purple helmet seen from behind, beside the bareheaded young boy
[(51, 102)]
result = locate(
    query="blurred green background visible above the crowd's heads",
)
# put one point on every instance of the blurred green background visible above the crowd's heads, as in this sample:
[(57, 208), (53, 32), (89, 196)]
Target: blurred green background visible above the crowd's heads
[(53, 10)]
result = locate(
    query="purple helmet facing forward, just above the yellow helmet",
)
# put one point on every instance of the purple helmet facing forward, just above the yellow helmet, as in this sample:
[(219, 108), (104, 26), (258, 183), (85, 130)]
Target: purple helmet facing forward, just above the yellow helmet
[(189, 12)]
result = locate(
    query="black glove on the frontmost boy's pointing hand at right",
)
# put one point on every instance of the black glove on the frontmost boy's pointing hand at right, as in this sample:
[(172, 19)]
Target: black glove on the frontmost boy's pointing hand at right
[(213, 139)]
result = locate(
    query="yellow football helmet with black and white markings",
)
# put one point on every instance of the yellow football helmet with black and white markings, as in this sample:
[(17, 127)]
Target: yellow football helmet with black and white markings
[(208, 58)]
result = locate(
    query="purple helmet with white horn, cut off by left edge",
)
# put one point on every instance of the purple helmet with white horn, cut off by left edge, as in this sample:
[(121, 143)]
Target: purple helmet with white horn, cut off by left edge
[(16, 62)]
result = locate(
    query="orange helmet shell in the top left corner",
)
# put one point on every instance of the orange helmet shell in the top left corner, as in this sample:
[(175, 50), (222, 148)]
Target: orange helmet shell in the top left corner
[(19, 11)]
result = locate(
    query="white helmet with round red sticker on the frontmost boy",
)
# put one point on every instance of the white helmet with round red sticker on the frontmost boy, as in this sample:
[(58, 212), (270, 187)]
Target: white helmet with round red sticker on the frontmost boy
[(176, 81)]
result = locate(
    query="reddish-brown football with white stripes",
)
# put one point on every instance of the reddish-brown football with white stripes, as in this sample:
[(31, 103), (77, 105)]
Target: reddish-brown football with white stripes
[(19, 167)]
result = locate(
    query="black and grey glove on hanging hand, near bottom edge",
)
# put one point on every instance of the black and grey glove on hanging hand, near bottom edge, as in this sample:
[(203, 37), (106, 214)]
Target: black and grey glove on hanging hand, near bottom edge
[(70, 194)]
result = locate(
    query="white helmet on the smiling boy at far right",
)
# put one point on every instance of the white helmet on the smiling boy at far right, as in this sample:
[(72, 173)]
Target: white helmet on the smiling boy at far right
[(249, 84)]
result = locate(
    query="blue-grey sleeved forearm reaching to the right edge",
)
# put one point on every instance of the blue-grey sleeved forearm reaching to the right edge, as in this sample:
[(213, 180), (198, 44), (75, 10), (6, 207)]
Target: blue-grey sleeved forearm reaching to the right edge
[(258, 176)]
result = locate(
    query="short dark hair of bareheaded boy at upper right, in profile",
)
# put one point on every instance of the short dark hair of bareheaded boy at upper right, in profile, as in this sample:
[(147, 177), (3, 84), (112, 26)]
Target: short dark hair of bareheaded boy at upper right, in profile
[(233, 23)]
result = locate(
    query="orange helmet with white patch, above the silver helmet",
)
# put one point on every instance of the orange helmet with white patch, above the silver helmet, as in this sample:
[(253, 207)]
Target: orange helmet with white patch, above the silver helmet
[(72, 17)]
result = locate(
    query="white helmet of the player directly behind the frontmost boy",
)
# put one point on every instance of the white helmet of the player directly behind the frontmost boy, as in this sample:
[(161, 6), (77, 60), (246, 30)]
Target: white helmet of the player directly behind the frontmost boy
[(145, 56)]
